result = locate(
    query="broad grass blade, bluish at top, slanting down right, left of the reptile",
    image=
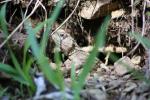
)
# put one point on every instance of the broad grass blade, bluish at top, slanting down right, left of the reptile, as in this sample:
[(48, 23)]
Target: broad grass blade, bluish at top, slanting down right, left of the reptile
[(41, 59)]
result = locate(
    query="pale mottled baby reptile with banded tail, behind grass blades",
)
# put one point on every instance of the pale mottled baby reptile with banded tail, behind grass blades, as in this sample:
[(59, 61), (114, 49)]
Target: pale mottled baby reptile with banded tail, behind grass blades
[(78, 55)]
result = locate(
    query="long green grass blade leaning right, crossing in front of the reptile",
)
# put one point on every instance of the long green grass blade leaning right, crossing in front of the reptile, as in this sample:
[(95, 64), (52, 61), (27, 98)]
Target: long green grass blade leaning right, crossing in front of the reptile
[(100, 40)]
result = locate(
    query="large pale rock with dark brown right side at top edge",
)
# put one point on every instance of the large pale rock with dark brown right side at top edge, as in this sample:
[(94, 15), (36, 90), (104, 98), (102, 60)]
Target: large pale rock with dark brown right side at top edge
[(92, 9)]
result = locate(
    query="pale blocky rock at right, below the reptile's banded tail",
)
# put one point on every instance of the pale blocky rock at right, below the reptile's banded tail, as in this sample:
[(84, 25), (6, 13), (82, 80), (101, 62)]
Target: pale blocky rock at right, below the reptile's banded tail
[(123, 66)]
